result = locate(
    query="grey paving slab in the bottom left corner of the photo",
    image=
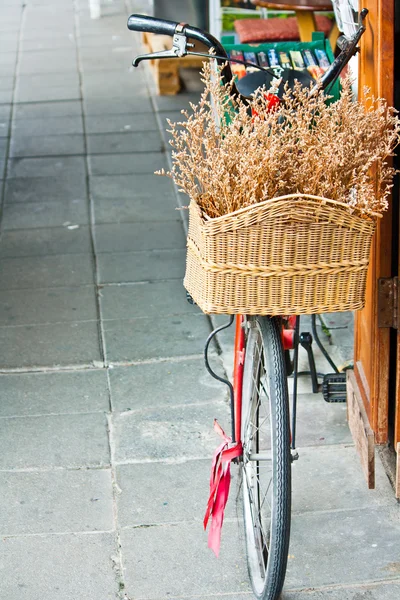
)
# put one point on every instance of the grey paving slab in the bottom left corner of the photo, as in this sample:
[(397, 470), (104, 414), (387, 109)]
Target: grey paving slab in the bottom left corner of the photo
[(80, 567)]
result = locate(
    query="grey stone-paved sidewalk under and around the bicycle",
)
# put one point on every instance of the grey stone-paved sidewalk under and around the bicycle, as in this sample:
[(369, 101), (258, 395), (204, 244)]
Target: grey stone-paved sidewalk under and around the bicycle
[(105, 407)]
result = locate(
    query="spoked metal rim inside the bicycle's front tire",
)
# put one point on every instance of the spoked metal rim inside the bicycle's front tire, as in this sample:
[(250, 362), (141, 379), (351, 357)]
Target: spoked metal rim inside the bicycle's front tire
[(258, 478)]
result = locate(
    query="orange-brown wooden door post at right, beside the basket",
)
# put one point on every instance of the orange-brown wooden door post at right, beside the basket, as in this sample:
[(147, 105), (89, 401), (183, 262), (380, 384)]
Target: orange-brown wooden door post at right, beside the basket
[(371, 343)]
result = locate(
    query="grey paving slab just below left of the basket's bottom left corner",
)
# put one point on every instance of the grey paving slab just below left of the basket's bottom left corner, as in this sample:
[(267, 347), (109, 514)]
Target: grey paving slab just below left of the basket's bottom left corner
[(143, 339)]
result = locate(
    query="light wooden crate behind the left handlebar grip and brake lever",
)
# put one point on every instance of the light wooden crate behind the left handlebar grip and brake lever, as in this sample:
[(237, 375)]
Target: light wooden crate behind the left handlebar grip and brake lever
[(166, 70)]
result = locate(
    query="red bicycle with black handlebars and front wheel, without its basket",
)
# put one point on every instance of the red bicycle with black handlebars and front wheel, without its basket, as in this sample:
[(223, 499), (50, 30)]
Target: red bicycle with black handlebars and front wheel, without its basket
[(263, 439)]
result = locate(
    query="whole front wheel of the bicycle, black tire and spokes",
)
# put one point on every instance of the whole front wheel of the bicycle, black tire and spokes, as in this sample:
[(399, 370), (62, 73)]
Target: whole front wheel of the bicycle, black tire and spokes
[(266, 484)]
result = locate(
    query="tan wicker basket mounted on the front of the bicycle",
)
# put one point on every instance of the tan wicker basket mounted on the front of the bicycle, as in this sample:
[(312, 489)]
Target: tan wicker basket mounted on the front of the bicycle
[(295, 254)]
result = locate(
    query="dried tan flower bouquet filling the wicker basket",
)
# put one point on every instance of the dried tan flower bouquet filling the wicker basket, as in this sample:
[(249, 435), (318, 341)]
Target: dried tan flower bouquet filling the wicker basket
[(338, 151)]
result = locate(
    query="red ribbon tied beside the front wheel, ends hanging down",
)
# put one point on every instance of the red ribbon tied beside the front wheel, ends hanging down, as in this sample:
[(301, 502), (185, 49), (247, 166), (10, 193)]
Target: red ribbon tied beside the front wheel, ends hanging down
[(219, 487)]
